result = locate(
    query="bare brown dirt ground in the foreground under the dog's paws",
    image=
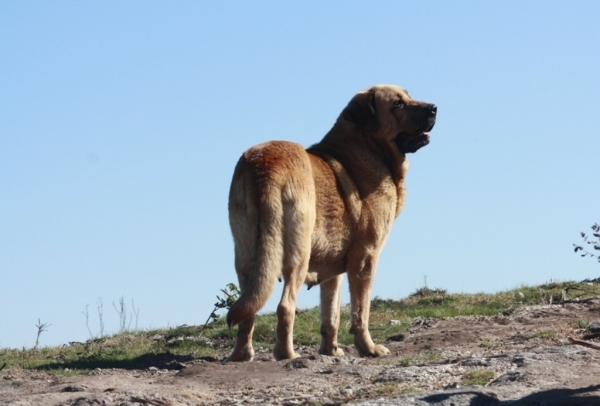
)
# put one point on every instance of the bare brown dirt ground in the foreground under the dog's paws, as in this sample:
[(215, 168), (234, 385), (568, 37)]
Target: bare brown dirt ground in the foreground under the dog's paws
[(528, 353)]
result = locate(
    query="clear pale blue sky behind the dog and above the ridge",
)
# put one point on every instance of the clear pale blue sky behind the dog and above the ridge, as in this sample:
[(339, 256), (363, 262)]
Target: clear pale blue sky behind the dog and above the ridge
[(121, 123)]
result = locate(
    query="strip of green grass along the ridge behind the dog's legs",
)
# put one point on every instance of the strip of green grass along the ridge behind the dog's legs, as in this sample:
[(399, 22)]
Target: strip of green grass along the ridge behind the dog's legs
[(163, 348)]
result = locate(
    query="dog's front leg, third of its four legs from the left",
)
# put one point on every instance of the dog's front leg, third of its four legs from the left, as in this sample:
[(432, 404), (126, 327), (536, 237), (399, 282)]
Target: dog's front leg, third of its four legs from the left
[(331, 290)]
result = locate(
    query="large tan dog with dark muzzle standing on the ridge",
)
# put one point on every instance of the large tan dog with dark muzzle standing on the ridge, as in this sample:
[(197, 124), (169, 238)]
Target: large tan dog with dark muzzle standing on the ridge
[(312, 214)]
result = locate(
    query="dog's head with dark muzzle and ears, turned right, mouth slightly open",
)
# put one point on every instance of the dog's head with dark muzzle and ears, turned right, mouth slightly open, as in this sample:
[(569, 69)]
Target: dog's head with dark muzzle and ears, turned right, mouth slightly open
[(388, 114)]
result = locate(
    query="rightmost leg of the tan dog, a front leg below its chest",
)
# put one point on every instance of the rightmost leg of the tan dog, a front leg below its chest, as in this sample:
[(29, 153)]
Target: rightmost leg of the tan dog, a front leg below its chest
[(360, 278)]
